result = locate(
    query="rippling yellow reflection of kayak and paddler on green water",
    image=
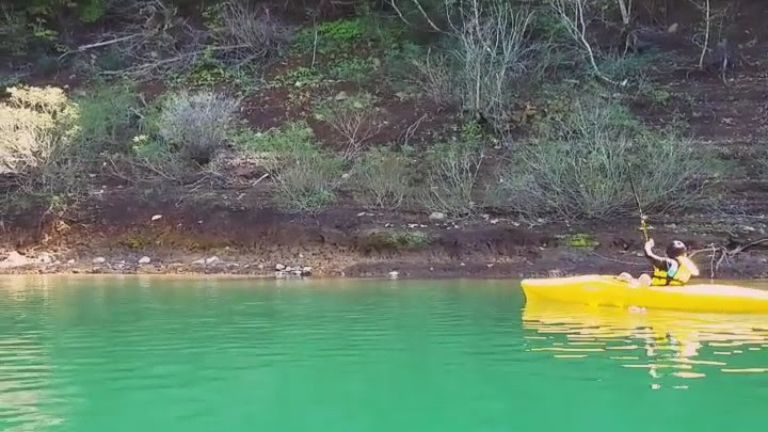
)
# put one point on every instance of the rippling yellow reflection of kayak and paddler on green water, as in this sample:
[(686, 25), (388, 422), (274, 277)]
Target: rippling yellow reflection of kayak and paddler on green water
[(666, 343)]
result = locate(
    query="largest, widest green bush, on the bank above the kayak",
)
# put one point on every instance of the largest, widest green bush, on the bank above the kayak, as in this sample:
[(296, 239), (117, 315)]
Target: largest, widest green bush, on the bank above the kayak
[(578, 166)]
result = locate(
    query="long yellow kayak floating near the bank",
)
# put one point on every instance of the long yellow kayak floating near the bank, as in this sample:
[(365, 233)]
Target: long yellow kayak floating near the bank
[(596, 290)]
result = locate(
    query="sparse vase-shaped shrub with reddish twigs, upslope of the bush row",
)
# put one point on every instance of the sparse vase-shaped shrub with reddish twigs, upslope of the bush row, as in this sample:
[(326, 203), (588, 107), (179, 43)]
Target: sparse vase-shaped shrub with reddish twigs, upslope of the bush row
[(355, 118)]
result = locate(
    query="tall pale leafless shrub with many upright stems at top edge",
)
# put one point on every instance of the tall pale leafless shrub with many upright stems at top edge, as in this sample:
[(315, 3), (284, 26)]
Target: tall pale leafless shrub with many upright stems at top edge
[(488, 53)]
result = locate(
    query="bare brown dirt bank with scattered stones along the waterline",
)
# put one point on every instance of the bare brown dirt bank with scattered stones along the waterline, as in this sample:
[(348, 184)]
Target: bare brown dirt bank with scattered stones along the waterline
[(121, 233)]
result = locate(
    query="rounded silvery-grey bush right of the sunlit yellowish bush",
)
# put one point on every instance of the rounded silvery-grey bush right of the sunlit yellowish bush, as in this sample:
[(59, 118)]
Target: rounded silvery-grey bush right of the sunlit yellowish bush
[(197, 125)]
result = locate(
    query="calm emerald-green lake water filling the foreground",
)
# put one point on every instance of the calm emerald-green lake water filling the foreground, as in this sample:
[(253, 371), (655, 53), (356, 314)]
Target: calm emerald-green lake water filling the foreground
[(144, 354)]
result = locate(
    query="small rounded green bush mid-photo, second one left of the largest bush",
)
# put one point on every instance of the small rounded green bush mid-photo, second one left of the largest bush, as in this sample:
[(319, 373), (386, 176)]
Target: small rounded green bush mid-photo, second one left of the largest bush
[(383, 178)]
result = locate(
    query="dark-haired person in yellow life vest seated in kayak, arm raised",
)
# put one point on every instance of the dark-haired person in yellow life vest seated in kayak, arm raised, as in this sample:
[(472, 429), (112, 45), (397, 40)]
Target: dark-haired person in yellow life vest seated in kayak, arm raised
[(675, 269)]
